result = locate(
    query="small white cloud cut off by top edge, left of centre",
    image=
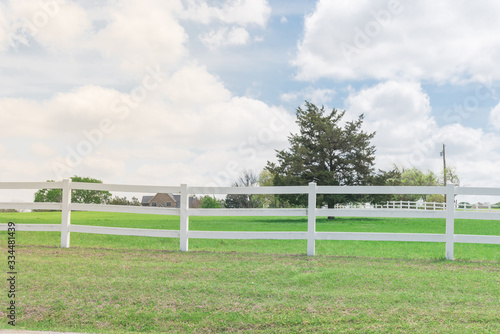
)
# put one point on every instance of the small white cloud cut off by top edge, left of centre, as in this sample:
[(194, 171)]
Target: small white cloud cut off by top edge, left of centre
[(241, 12)]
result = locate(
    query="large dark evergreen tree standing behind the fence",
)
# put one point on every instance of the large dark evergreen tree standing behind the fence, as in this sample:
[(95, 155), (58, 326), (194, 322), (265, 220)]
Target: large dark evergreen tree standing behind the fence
[(327, 150)]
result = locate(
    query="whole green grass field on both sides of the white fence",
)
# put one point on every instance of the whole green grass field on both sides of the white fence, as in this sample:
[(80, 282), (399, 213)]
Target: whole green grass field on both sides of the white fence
[(121, 284)]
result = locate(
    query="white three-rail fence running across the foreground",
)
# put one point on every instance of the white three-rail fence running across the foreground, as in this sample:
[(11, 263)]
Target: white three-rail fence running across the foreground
[(184, 234)]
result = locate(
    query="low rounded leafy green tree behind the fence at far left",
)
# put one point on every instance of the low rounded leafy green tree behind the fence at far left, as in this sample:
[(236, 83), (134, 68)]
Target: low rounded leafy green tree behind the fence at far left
[(77, 195)]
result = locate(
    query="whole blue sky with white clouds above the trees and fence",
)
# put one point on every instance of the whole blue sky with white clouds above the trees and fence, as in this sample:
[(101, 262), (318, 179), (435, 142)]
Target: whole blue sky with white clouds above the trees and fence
[(169, 92)]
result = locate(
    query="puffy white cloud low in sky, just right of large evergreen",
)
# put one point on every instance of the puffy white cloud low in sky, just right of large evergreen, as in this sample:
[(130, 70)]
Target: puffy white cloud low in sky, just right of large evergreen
[(407, 134)]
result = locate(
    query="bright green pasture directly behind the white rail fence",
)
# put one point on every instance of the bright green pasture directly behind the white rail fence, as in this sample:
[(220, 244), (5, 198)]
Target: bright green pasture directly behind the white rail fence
[(382, 249)]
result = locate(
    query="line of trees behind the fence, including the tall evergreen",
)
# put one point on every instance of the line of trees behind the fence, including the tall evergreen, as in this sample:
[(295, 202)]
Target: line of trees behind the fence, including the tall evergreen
[(327, 150)]
